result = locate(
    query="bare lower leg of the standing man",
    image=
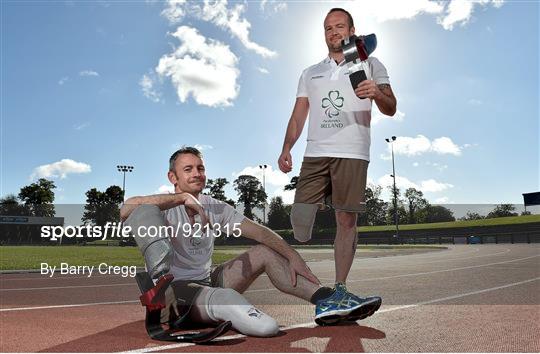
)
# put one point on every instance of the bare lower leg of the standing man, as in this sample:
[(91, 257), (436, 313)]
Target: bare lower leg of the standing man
[(344, 244)]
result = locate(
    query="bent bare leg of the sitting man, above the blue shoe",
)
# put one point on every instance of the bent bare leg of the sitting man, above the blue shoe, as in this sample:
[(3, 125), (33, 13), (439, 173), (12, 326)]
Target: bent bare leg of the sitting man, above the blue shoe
[(240, 272)]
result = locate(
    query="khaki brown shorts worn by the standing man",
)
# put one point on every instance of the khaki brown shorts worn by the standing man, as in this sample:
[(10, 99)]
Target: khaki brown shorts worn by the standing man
[(337, 182)]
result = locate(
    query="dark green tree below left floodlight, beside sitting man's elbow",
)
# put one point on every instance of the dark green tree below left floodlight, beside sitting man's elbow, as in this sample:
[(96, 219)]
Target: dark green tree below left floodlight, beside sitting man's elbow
[(103, 207)]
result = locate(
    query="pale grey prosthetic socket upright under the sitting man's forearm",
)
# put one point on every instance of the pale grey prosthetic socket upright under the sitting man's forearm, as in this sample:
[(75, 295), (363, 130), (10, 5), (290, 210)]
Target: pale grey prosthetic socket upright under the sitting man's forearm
[(157, 251)]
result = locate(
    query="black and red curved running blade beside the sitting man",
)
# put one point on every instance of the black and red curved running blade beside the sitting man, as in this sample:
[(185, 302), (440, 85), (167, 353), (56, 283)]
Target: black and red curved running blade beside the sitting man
[(155, 329)]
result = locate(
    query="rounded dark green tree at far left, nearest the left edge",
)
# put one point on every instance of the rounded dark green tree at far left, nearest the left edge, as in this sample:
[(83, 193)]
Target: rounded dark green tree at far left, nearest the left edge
[(38, 198)]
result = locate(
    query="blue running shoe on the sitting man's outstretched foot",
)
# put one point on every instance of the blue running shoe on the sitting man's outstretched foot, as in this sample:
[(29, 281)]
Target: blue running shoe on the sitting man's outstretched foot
[(336, 307)]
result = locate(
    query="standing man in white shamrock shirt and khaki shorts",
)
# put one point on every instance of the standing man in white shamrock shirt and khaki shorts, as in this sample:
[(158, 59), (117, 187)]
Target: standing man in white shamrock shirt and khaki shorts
[(334, 170)]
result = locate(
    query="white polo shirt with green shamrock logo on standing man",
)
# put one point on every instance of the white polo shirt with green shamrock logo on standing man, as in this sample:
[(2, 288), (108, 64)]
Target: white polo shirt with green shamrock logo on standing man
[(339, 121)]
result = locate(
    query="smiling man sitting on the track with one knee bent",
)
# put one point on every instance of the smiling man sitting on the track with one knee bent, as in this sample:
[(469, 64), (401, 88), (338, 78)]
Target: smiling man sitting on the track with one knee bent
[(186, 255)]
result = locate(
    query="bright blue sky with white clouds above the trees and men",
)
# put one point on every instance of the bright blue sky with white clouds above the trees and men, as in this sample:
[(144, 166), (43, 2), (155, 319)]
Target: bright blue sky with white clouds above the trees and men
[(90, 85)]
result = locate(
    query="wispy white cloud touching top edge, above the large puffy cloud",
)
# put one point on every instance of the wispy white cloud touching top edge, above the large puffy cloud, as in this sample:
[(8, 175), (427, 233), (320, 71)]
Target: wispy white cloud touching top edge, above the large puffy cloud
[(218, 13)]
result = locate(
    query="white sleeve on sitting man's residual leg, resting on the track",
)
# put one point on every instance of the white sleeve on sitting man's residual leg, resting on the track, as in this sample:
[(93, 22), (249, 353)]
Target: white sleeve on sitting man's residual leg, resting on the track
[(228, 305)]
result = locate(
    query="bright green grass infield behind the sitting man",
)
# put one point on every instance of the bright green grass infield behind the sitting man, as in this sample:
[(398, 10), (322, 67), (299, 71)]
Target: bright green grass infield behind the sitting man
[(31, 257)]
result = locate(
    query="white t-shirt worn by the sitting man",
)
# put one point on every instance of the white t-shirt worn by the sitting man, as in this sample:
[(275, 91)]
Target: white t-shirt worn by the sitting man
[(193, 246)]
